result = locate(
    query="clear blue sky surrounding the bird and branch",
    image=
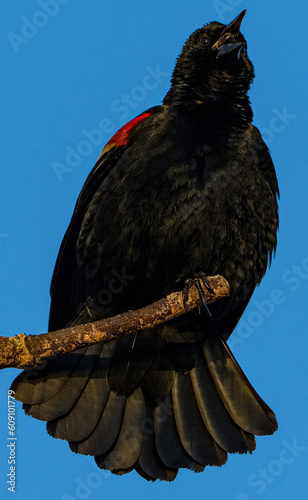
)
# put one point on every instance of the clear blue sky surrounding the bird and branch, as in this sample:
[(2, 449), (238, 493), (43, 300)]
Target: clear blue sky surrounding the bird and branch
[(70, 66)]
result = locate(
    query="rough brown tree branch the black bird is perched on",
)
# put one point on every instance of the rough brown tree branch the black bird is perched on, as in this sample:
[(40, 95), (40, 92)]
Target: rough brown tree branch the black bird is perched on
[(27, 351)]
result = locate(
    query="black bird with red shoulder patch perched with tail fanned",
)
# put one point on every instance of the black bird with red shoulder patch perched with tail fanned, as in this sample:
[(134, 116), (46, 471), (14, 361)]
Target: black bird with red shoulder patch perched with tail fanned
[(185, 188)]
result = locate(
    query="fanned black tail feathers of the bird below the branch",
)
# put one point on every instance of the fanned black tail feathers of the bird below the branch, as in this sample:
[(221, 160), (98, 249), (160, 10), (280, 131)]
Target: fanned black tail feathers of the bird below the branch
[(183, 420)]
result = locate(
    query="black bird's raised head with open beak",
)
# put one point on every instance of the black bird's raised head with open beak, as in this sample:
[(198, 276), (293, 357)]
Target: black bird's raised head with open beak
[(213, 65)]
